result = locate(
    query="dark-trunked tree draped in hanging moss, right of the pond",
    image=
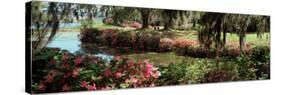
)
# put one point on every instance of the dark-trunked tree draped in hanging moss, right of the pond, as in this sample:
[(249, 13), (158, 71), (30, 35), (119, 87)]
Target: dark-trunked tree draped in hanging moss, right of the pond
[(213, 31)]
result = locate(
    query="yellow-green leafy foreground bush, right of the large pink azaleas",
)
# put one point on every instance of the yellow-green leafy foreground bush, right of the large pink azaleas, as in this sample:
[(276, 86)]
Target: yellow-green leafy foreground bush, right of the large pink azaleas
[(185, 72)]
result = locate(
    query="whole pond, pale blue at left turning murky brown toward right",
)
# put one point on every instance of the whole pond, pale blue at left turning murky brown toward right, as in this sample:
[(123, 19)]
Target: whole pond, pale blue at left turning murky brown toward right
[(70, 41)]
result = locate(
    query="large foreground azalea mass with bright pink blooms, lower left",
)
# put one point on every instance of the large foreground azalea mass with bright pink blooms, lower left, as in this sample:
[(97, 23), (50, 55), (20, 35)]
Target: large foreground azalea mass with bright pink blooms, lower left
[(67, 72)]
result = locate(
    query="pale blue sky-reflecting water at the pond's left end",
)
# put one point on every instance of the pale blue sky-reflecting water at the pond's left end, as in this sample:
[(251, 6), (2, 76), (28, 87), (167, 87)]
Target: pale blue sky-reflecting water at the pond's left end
[(70, 41)]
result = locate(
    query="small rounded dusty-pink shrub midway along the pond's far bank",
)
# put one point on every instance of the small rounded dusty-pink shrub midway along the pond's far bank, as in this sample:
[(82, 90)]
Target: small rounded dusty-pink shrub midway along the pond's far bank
[(166, 44)]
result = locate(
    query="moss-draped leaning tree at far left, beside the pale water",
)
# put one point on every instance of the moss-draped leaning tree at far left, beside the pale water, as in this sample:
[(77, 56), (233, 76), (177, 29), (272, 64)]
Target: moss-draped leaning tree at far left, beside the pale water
[(47, 17)]
